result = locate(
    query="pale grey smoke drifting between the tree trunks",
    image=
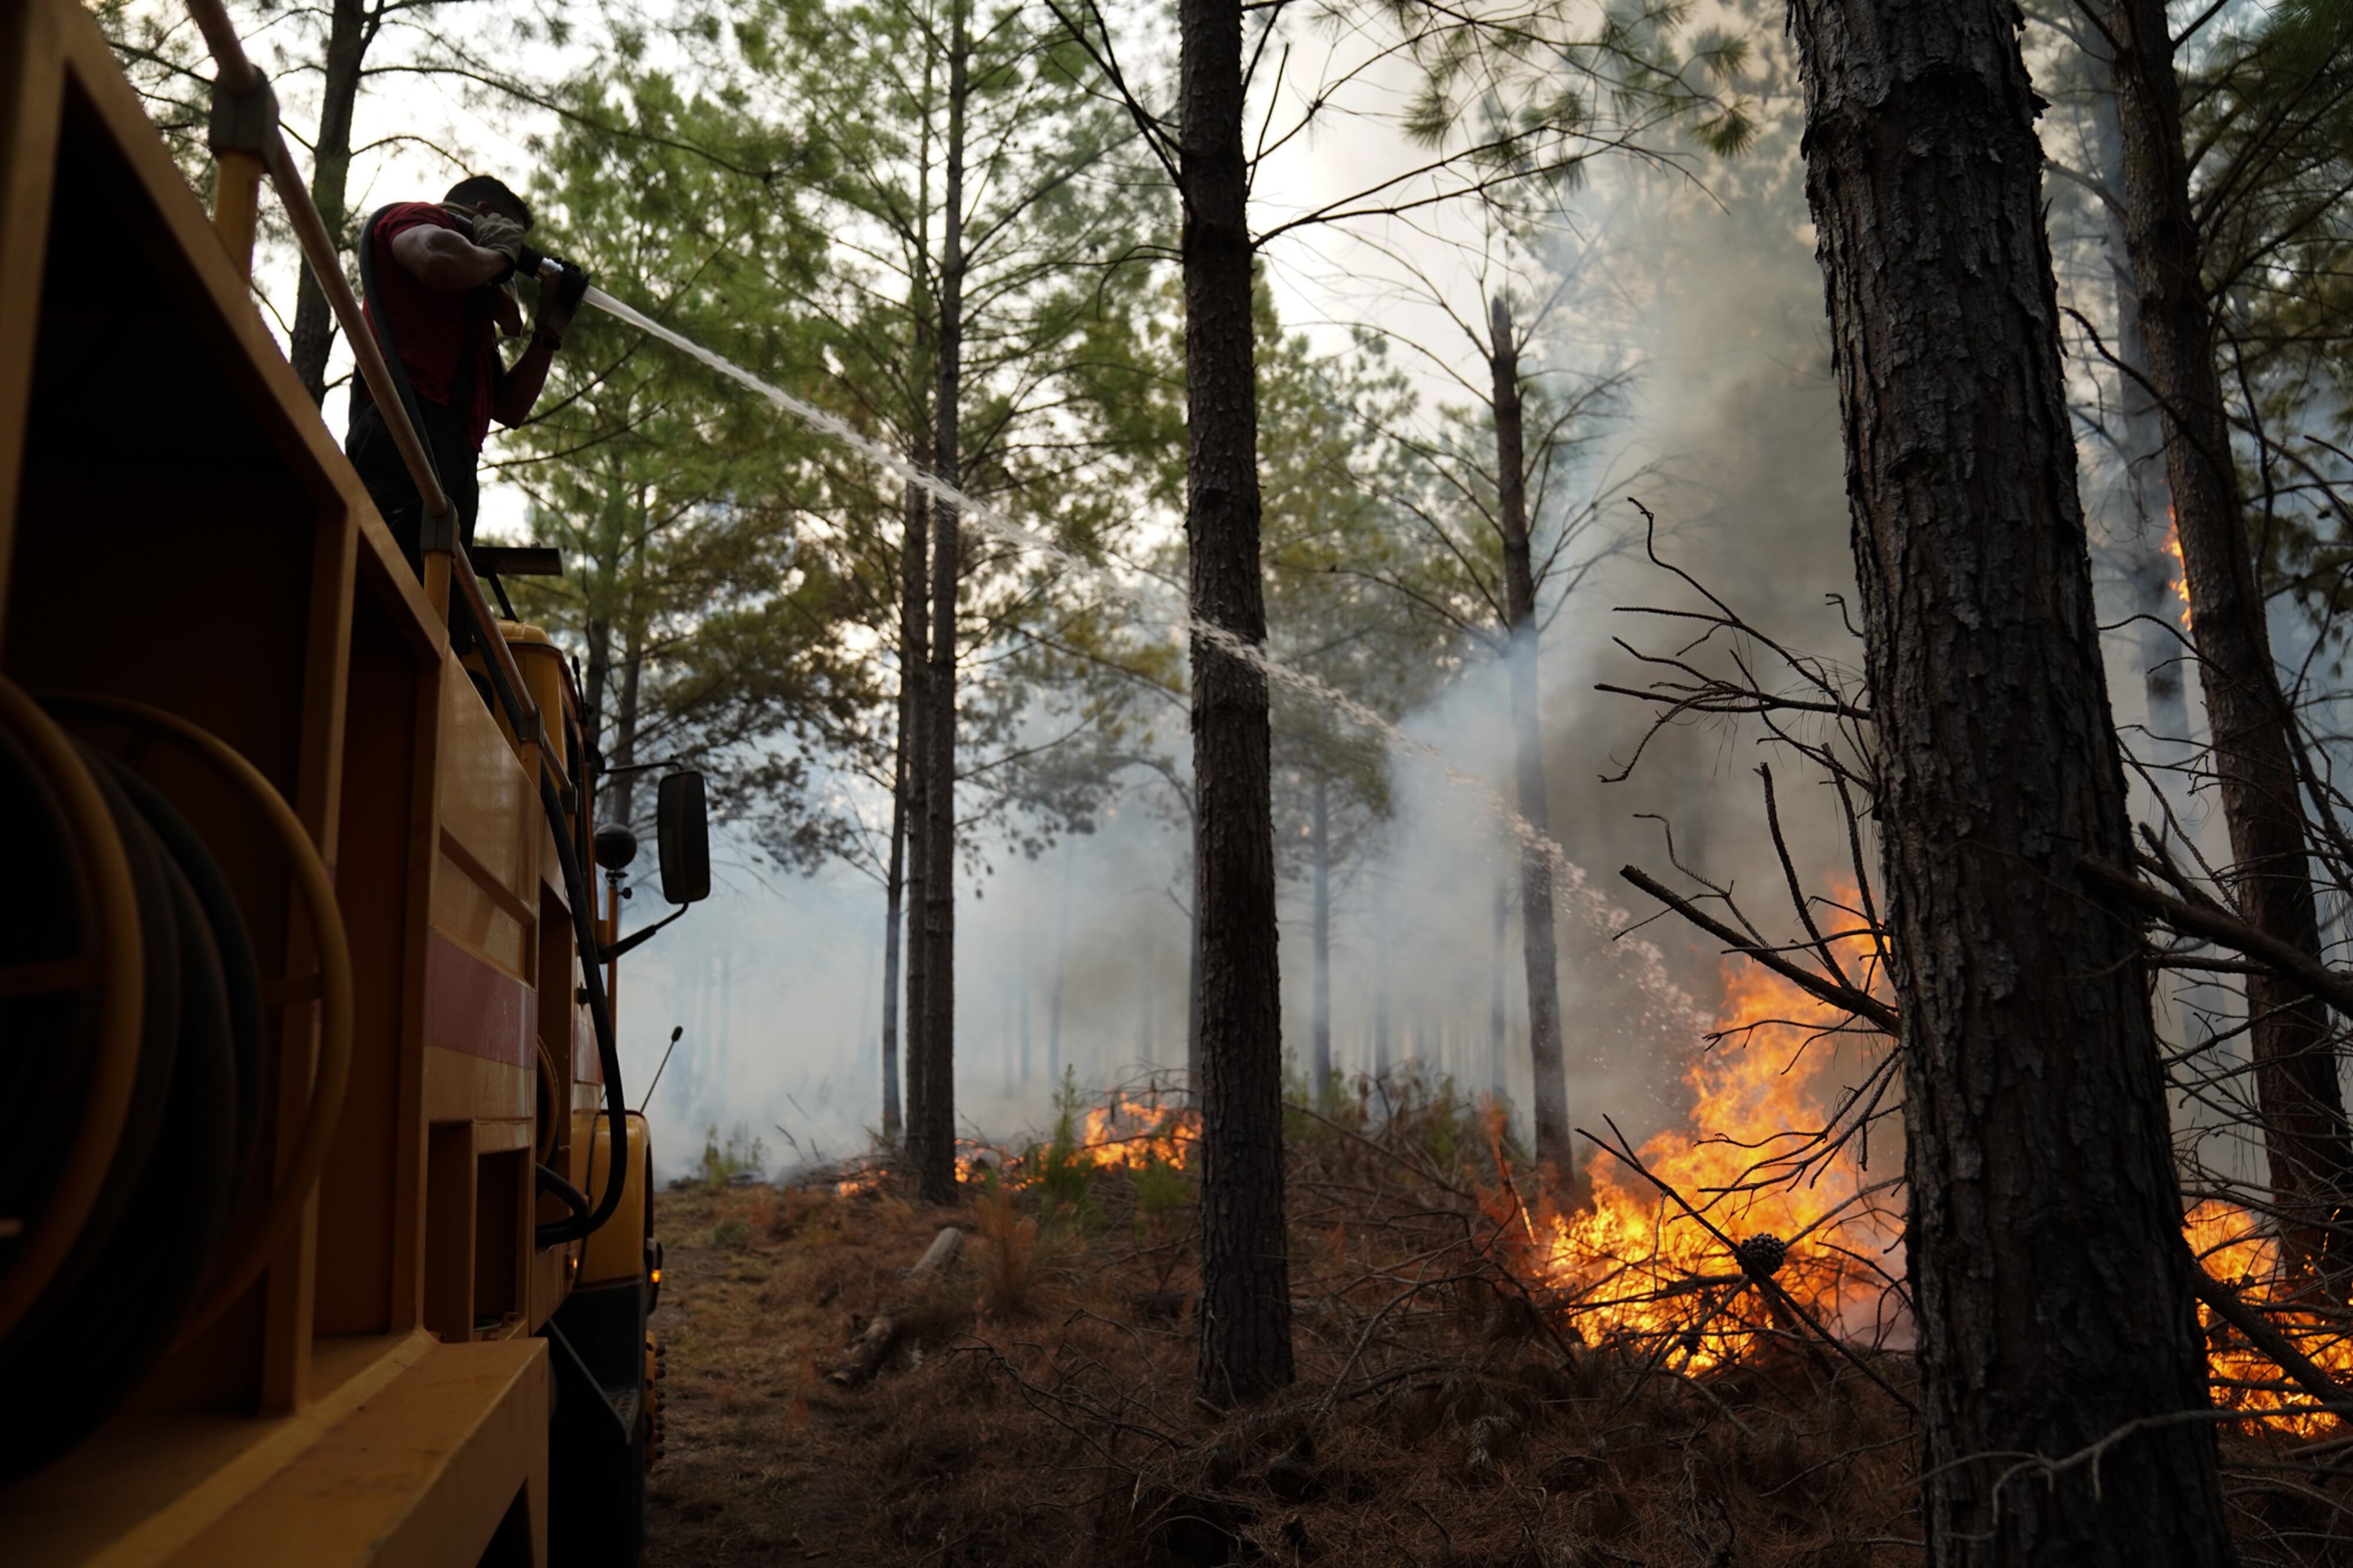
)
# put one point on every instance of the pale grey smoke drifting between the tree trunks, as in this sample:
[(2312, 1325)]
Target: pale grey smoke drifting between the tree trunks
[(1079, 959)]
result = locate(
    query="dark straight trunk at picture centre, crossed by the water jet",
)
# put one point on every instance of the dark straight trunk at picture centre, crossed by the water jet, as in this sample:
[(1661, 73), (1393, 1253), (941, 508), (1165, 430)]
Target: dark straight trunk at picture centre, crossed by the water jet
[(1246, 1296)]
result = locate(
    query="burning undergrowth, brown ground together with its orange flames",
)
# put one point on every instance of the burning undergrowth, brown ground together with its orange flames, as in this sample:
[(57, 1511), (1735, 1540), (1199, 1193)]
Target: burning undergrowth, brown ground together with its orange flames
[(1698, 1360)]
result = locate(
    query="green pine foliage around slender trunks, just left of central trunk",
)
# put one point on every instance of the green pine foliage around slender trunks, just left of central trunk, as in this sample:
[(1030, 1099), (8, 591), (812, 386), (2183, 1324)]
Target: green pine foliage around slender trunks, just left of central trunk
[(1051, 371)]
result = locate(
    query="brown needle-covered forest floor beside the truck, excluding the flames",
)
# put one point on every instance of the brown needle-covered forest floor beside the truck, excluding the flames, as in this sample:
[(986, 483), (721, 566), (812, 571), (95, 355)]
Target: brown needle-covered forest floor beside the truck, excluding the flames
[(1039, 1409)]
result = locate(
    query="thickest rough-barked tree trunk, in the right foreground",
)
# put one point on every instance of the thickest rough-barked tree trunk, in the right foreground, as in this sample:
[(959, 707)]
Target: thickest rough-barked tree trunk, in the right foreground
[(2046, 1225)]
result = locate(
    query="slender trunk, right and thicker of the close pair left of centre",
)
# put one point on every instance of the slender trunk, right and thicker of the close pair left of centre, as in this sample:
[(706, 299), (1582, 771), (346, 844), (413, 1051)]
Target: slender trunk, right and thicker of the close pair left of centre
[(933, 1138)]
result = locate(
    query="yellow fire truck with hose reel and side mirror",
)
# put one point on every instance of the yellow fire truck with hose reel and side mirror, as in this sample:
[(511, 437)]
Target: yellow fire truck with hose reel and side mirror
[(324, 1221)]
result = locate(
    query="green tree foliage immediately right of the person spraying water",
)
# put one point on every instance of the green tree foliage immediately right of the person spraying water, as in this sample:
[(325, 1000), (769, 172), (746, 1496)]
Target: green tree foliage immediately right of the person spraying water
[(705, 604)]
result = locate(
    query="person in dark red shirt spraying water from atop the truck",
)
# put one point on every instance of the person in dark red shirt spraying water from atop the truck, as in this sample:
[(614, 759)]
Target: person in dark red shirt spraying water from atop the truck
[(441, 291)]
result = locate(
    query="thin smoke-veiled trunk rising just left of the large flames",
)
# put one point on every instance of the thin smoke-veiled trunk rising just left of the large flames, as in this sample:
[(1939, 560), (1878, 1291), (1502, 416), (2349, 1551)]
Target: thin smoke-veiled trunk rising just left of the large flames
[(1540, 950)]
